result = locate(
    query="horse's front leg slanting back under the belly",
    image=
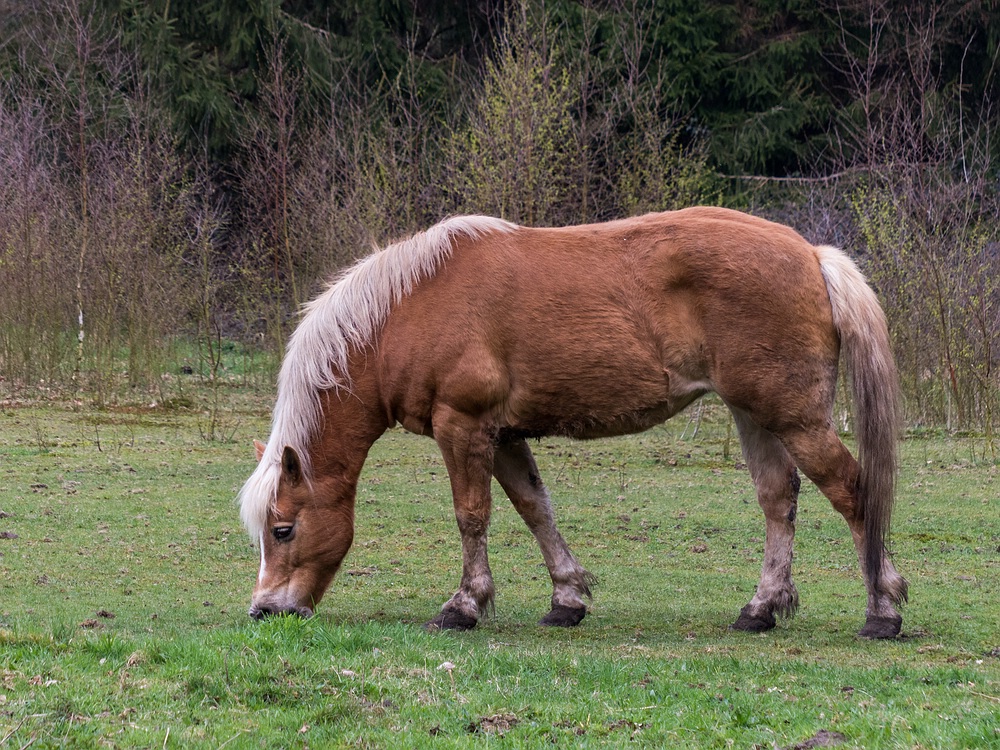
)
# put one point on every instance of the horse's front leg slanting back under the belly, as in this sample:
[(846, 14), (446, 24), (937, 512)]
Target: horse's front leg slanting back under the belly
[(515, 469)]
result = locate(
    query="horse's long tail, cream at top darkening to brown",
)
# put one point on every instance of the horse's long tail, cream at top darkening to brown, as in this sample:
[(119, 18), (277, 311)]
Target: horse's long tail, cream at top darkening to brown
[(864, 344)]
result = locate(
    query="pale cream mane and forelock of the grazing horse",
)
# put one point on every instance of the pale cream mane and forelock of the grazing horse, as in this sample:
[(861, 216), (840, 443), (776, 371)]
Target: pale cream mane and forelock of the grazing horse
[(346, 316)]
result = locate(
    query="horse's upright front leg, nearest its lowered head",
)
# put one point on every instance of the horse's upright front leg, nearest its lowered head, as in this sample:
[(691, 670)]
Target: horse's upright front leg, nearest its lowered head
[(467, 449)]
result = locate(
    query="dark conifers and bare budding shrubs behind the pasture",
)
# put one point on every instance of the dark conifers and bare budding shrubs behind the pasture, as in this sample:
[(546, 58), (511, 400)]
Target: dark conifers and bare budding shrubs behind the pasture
[(178, 176)]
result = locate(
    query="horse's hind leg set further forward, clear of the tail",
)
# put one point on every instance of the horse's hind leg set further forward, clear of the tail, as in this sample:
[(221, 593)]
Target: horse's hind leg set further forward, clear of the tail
[(777, 484)]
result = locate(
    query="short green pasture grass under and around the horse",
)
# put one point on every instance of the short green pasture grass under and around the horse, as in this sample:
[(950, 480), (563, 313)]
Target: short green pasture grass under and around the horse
[(125, 578)]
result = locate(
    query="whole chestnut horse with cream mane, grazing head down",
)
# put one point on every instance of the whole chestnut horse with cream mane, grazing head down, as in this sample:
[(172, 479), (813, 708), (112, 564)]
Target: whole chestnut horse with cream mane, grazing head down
[(482, 334)]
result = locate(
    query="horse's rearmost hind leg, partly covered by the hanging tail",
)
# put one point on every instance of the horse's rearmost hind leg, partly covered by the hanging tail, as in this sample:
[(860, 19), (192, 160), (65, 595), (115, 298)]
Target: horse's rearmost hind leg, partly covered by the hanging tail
[(827, 462)]
